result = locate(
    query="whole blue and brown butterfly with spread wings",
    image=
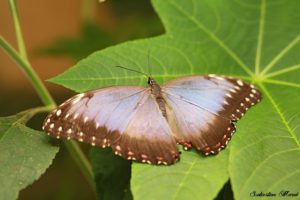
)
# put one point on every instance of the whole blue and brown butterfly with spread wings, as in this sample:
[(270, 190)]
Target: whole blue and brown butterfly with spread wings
[(147, 124)]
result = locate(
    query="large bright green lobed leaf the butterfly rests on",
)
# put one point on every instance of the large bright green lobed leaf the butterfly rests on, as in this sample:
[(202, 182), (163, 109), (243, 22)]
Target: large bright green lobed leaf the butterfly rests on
[(255, 40)]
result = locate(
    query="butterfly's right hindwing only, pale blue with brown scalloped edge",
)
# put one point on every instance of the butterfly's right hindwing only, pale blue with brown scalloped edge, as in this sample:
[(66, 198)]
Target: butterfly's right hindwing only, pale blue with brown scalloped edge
[(198, 127)]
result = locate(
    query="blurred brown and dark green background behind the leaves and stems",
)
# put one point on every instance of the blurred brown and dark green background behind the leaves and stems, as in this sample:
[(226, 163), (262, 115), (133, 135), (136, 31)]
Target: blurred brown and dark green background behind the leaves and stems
[(57, 34)]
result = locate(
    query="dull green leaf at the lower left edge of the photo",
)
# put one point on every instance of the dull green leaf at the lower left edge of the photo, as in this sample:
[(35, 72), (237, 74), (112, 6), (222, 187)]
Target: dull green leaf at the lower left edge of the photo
[(25, 154)]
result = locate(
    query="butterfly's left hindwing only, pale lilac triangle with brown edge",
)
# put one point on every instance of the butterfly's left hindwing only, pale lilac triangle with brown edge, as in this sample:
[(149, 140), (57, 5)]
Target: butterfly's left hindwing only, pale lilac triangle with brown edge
[(148, 137)]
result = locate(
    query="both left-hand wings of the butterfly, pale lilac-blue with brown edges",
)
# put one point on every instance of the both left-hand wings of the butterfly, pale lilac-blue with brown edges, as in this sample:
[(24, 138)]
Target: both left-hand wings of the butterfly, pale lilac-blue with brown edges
[(125, 118)]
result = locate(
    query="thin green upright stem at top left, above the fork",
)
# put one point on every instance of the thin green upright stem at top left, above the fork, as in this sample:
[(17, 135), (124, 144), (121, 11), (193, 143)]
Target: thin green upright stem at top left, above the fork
[(19, 36)]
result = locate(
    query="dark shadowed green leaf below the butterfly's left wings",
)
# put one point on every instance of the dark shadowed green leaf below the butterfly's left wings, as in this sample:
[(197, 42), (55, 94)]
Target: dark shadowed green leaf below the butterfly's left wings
[(112, 174)]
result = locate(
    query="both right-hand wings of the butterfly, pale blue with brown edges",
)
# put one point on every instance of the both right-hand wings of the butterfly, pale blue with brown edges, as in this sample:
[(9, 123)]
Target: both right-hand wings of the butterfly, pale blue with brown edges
[(204, 109)]
